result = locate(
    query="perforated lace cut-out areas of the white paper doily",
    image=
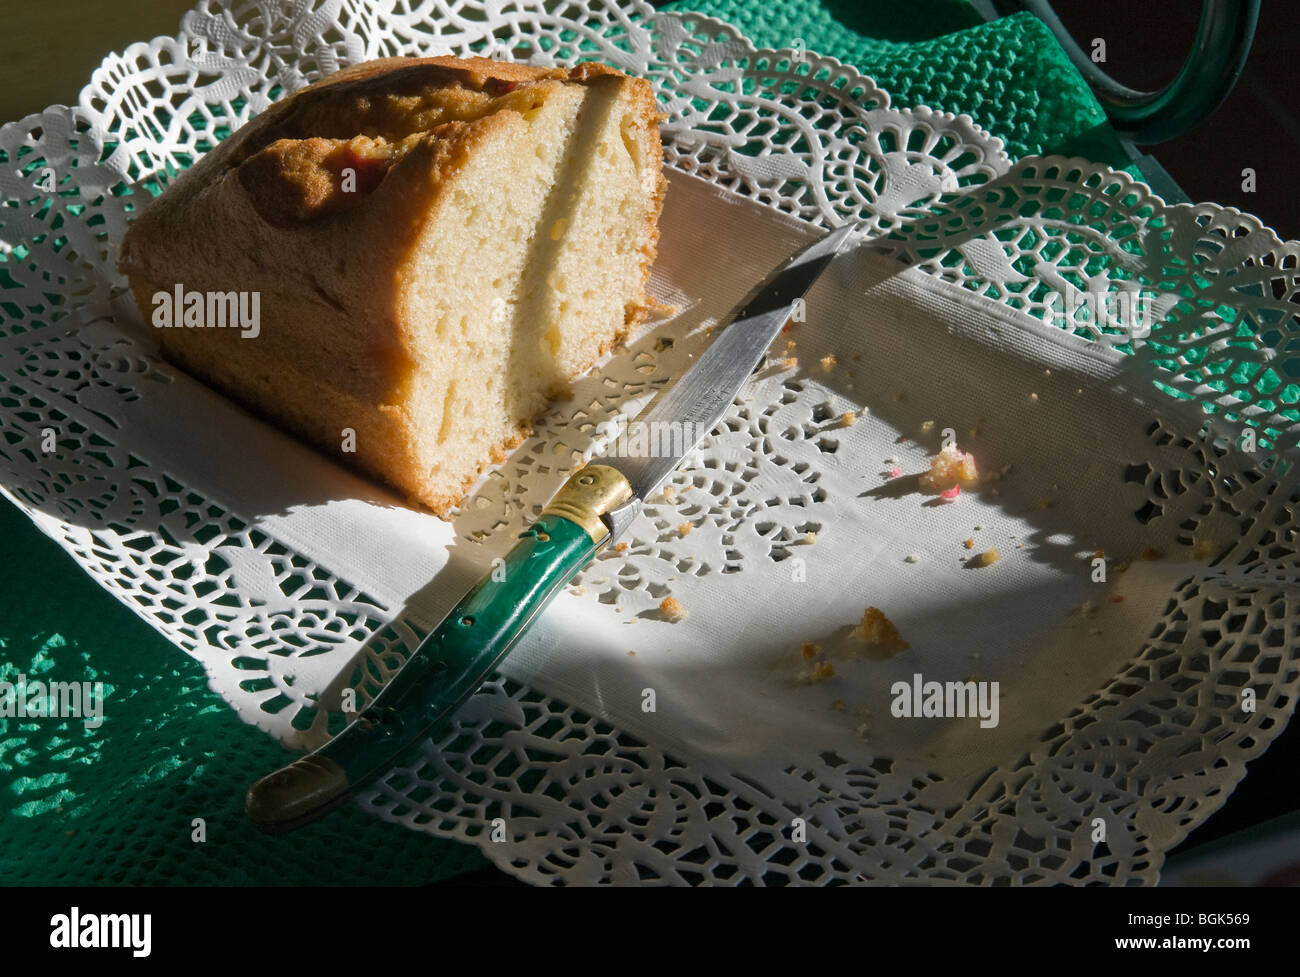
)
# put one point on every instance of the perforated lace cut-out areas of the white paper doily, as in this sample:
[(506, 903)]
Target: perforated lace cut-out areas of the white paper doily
[(807, 136)]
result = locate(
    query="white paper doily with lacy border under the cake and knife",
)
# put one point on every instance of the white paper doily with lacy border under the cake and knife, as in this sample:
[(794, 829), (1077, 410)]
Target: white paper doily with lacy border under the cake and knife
[(1151, 748)]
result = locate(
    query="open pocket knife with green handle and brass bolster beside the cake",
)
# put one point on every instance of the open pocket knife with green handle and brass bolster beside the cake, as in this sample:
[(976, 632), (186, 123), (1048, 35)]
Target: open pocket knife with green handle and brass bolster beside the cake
[(592, 510)]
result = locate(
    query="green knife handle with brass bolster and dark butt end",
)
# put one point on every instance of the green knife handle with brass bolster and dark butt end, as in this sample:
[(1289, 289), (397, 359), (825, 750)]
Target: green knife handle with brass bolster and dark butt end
[(453, 662)]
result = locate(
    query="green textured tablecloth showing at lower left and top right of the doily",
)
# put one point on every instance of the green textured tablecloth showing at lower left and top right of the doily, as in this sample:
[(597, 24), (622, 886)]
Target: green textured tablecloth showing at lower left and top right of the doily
[(116, 805)]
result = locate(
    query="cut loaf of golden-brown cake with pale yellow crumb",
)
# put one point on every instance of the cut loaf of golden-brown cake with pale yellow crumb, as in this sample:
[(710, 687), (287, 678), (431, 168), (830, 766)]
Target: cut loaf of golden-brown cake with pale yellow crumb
[(432, 249)]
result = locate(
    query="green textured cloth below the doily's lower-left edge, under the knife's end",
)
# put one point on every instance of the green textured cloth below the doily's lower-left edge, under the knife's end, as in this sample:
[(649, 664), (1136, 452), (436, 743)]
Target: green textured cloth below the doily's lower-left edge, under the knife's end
[(115, 805)]
